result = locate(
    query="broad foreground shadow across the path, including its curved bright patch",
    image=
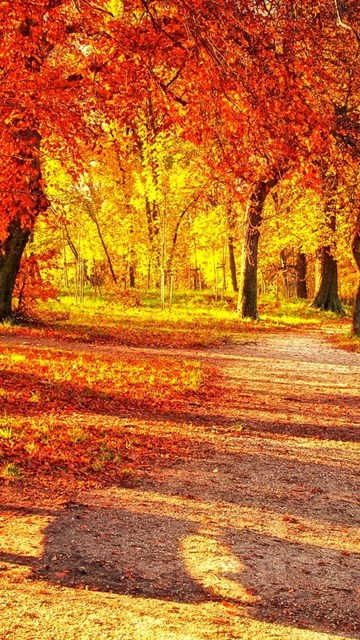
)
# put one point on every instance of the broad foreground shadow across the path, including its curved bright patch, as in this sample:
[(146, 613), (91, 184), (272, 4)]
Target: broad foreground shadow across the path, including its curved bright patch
[(135, 553)]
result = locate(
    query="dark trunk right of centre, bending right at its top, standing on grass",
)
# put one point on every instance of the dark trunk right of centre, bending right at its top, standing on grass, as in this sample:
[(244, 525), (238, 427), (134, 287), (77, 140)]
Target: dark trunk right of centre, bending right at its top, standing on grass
[(247, 303)]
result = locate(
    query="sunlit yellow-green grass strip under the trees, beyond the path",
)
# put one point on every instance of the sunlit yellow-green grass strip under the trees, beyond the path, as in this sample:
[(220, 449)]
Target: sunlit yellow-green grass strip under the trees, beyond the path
[(196, 320)]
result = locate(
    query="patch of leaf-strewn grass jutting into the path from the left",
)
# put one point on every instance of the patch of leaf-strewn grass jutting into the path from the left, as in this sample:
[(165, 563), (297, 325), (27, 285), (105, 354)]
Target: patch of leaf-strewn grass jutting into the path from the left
[(66, 413)]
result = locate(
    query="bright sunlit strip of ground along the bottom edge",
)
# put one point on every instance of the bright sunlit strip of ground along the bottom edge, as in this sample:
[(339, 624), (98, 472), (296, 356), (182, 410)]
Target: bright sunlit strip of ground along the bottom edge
[(88, 616)]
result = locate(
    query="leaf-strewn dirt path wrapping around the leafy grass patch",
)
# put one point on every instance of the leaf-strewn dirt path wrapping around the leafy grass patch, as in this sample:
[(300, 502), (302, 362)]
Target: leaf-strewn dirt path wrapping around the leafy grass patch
[(254, 534)]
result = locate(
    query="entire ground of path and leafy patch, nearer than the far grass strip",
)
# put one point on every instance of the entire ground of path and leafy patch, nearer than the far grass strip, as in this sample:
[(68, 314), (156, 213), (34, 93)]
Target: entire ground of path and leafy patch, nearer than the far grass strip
[(236, 513)]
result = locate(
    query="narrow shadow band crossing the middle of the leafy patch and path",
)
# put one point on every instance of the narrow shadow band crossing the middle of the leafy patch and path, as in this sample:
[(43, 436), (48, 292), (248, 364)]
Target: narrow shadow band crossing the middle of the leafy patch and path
[(192, 407)]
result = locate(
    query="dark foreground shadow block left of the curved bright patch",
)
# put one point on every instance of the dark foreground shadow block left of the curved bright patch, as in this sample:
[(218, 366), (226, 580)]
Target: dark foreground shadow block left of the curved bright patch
[(114, 550)]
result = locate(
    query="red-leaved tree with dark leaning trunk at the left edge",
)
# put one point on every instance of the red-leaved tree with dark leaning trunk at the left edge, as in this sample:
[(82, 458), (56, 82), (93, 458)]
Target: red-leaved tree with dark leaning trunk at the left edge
[(41, 59)]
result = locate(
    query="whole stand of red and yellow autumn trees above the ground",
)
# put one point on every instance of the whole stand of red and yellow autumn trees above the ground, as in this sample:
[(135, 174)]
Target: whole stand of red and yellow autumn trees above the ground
[(161, 145)]
